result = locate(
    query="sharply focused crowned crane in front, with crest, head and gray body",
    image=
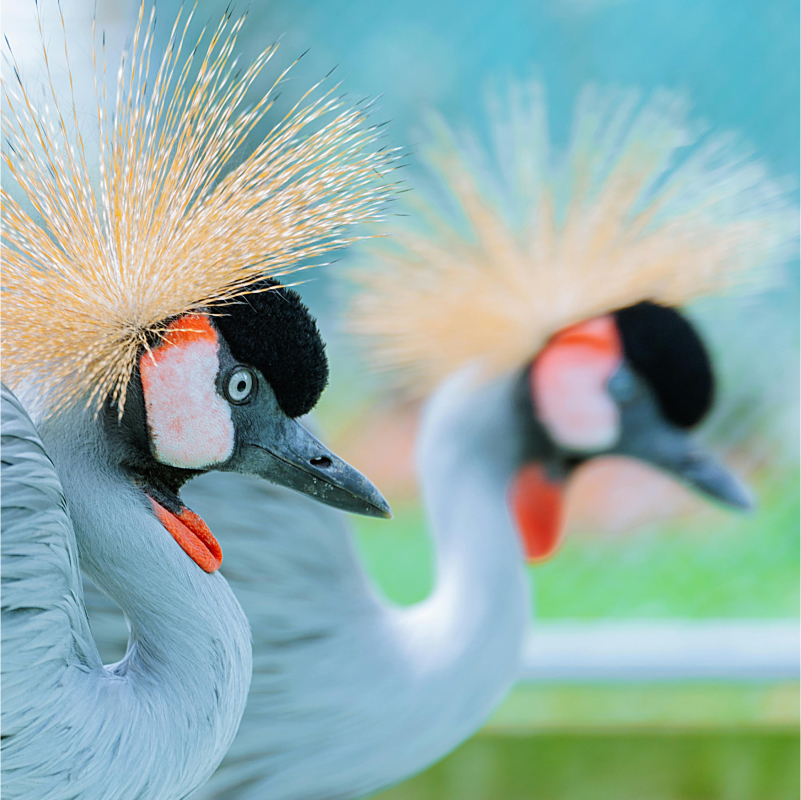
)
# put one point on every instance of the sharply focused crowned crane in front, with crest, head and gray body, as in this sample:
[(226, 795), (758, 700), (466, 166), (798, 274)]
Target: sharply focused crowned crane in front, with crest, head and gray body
[(120, 333)]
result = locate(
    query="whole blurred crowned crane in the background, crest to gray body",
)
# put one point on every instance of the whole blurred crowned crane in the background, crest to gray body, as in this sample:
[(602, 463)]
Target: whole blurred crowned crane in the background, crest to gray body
[(542, 346)]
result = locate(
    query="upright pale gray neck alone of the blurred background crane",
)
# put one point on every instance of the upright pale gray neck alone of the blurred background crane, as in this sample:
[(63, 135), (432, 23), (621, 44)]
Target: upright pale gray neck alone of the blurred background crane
[(464, 641)]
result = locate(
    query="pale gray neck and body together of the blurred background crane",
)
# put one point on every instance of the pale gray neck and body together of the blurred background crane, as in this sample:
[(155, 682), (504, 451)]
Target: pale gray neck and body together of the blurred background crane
[(351, 694)]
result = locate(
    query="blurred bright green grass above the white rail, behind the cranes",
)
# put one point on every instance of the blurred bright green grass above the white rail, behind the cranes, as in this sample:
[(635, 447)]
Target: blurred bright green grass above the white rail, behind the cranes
[(714, 564)]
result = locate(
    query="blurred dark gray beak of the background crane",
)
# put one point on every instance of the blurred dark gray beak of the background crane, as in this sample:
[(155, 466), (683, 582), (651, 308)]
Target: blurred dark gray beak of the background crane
[(647, 436)]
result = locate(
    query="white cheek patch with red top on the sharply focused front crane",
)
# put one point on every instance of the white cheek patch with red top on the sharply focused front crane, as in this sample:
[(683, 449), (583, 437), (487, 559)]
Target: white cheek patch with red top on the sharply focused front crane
[(190, 424)]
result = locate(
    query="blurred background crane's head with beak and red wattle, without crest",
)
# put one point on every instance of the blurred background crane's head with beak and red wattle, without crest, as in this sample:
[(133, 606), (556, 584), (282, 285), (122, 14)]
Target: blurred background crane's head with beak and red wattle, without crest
[(630, 383)]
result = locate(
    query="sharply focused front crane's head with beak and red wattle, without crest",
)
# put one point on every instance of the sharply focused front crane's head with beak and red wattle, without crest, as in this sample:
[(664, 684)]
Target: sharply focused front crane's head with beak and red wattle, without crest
[(223, 390)]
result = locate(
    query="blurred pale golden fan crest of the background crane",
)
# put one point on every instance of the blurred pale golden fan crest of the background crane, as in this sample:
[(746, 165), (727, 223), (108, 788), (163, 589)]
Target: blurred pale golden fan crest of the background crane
[(511, 245)]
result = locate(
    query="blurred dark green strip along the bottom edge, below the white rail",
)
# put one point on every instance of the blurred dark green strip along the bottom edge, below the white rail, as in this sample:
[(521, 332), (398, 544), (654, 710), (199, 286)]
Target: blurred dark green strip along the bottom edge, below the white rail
[(736, 765)]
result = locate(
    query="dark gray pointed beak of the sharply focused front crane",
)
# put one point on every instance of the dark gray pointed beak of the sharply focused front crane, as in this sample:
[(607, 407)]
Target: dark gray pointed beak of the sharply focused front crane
[(288, 455)]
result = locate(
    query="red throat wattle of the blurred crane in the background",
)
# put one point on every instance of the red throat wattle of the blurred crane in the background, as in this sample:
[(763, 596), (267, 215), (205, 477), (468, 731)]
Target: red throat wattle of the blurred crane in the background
[(538, 507)]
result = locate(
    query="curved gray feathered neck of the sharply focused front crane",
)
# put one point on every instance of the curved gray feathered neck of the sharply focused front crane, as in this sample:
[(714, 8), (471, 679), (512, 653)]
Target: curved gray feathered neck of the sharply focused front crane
[(180, 691)]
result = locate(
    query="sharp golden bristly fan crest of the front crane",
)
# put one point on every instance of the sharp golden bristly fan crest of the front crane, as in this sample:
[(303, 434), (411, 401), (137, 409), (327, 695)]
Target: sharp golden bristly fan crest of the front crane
[(178, 219)]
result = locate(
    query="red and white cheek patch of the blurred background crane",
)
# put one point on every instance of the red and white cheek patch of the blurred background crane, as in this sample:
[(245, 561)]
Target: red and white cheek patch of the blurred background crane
[(568, 385)]
